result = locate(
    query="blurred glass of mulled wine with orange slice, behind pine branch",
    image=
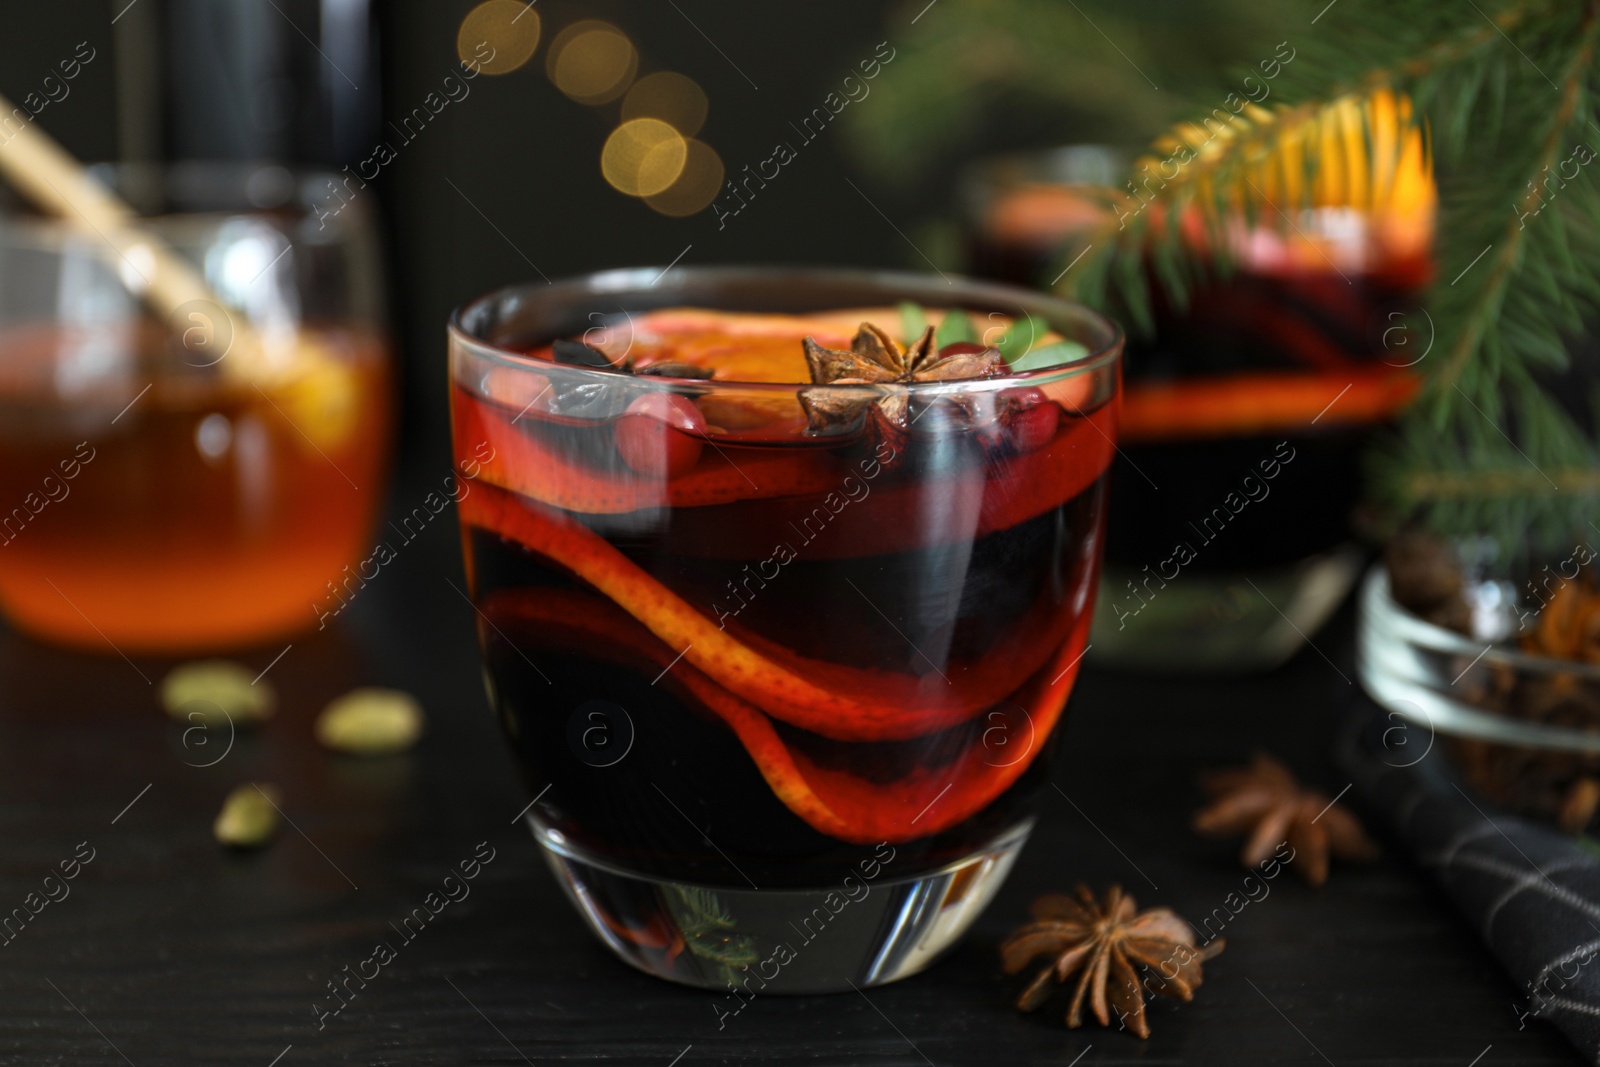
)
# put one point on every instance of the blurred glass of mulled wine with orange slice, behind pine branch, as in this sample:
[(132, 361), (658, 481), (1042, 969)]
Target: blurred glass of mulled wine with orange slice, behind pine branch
[(1234, 526)]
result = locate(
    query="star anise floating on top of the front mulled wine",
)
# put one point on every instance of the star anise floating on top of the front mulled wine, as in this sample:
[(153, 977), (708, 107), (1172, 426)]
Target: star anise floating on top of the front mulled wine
[(876, 359)]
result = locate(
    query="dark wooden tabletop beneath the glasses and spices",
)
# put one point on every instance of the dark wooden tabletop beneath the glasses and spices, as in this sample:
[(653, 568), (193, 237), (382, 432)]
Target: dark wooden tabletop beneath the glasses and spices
[(172, 951)]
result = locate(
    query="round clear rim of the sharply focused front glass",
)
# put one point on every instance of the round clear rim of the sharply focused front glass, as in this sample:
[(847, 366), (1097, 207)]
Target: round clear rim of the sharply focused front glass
[(942, 290)]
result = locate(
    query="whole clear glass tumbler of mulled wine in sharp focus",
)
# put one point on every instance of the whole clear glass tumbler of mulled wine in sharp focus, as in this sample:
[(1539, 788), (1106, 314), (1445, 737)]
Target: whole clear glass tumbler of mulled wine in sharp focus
[(785, 698)]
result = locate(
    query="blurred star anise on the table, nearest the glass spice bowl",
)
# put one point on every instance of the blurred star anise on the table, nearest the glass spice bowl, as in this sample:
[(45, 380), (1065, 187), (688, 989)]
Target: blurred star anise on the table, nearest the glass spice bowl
[(1268, 804)]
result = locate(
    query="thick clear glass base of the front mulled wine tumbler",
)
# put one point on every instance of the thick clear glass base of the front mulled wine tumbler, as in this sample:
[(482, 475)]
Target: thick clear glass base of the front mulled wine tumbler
[(866, 930)]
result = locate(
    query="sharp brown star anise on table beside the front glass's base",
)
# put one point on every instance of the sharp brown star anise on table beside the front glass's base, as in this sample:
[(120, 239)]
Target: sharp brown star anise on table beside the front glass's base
[(1108, 941)]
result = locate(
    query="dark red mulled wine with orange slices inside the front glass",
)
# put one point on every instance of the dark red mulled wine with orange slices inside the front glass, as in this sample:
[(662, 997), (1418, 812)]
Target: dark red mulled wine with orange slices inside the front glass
[(764, 596)]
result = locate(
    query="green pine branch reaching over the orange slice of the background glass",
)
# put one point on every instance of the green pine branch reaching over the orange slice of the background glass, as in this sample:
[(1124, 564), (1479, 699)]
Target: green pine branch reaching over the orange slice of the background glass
[(1487, 417)]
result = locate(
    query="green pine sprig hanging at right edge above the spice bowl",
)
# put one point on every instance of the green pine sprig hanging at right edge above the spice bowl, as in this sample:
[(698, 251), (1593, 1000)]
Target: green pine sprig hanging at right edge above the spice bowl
[(1492, 447)]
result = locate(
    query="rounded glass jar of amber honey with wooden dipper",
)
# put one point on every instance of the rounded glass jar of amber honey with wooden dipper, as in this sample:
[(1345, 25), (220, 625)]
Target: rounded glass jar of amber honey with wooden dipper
[(151, 497)]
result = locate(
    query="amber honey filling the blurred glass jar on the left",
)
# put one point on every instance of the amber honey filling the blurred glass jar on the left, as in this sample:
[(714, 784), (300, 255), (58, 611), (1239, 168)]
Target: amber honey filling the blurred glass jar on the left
[(174, 510)]
